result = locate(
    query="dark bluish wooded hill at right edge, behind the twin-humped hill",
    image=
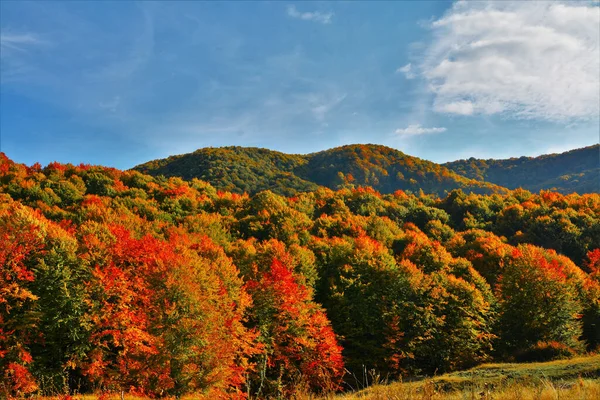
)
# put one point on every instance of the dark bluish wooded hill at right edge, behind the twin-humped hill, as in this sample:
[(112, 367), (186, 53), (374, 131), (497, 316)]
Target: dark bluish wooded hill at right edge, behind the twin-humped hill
[(574, 171)]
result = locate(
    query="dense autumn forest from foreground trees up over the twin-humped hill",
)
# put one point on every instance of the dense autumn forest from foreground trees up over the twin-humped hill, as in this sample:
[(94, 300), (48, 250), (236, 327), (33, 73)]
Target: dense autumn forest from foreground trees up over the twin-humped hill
[(120, 281)]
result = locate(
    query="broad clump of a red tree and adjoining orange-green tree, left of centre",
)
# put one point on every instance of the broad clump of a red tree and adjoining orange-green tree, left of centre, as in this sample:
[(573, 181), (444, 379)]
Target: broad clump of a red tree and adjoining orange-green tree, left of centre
[(150, 295)]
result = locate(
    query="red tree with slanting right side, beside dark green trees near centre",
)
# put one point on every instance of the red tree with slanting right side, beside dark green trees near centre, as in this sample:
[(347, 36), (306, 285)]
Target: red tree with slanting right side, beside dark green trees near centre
[(303, 344)]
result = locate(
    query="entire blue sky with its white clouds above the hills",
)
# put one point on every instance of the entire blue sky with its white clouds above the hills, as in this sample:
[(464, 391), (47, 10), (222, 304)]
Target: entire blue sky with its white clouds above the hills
[(120, 83)]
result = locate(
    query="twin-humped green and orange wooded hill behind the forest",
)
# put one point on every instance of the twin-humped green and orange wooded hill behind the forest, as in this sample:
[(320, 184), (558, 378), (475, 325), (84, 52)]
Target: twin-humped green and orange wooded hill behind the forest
[(242, 169)]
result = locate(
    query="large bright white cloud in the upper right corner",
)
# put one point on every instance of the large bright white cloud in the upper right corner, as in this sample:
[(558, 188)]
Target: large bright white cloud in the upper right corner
[(522, 59)]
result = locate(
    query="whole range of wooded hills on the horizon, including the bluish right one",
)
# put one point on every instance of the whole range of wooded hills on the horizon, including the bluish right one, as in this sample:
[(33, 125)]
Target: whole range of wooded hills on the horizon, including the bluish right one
[(253, 169)]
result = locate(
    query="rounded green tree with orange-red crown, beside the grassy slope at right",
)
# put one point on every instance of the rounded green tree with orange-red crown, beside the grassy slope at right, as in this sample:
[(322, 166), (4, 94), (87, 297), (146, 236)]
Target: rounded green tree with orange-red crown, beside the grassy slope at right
[(538, 302)]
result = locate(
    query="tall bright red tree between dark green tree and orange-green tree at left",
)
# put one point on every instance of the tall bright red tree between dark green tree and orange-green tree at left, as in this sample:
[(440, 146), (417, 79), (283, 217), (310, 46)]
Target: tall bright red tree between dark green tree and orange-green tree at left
[(126, 308)]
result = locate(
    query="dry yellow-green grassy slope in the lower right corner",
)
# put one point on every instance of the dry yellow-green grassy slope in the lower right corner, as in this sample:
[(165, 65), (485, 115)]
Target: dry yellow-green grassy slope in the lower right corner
[(577, 378)]
